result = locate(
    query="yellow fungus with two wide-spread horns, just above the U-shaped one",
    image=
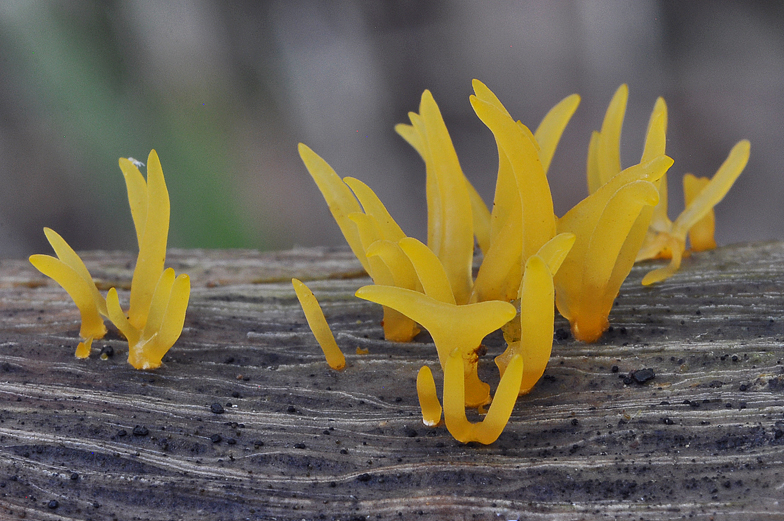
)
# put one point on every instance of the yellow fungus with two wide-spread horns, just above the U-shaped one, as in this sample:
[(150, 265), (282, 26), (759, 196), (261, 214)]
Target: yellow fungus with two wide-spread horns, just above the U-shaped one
[(451, 326)]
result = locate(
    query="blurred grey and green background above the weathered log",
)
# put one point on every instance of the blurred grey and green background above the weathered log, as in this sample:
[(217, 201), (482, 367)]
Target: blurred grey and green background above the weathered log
[(224, 91)]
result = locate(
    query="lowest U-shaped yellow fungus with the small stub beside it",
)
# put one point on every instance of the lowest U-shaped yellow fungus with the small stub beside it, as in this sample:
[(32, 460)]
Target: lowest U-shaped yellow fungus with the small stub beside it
[(489, 429)]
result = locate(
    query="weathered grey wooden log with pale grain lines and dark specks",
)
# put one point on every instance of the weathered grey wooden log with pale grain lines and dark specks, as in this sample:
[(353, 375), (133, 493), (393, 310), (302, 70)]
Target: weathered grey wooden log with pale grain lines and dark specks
[(97, 439)]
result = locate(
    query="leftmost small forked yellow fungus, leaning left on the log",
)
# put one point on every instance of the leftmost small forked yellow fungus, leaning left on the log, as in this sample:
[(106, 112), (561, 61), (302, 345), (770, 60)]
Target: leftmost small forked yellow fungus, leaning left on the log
[(69, 271)]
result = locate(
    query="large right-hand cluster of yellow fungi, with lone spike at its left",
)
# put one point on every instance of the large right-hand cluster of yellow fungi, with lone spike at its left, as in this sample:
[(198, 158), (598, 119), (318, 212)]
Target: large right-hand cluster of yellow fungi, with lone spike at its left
[(532, 261)]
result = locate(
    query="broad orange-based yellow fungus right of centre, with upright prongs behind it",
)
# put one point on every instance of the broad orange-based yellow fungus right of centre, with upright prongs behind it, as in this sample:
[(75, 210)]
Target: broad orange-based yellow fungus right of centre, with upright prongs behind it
[(612, 223)]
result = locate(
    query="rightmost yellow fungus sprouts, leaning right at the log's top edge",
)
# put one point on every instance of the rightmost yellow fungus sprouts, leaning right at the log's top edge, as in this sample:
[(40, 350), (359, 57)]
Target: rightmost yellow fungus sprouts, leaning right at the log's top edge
[(668, 239)]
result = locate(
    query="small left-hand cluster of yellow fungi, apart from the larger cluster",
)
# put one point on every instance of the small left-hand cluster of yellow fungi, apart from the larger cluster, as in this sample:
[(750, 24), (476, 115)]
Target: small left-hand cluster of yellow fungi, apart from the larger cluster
[(158, 299)]
